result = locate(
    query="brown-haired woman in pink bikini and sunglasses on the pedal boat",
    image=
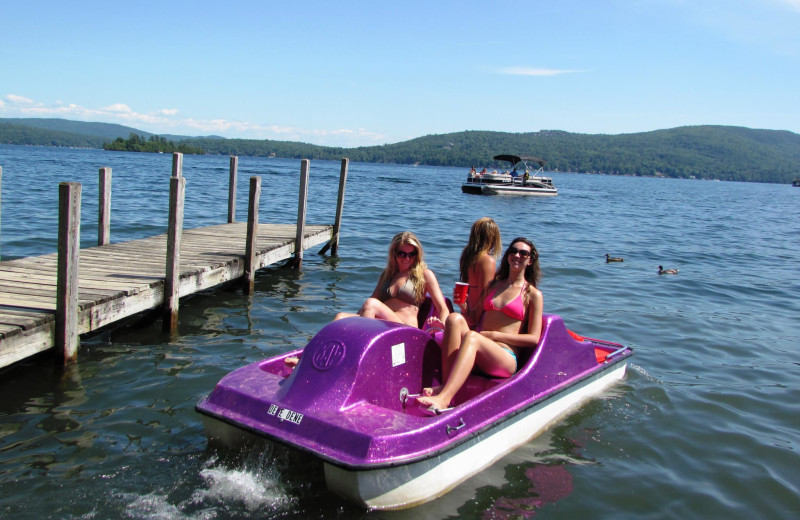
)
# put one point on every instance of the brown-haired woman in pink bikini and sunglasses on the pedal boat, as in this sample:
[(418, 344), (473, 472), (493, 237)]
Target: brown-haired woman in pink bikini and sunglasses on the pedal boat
[(510, 320)]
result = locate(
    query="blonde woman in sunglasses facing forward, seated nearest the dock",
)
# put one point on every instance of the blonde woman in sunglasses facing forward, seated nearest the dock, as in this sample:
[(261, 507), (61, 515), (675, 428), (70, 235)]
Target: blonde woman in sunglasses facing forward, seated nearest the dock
[(403, 285)]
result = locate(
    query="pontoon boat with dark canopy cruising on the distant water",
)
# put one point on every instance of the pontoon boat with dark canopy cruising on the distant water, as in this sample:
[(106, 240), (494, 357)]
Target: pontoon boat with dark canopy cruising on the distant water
[(511, 182)]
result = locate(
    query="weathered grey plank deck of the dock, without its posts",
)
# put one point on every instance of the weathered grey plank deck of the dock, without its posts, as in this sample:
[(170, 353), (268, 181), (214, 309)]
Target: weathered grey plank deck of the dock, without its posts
[(118, 284)]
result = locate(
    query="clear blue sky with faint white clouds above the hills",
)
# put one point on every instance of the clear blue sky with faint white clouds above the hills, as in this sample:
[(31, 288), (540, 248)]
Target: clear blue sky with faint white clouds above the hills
[(363, 73)]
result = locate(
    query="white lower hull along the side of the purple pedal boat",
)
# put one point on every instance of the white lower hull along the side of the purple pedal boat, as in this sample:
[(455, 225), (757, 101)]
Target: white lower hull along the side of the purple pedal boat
[(418, 482)]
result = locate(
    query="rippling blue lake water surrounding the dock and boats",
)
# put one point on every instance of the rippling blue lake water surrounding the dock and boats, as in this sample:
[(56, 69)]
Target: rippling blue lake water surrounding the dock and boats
[(706, 423)]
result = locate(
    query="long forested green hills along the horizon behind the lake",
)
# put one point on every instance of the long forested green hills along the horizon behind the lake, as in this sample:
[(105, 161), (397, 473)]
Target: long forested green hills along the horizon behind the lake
[(707, 152)]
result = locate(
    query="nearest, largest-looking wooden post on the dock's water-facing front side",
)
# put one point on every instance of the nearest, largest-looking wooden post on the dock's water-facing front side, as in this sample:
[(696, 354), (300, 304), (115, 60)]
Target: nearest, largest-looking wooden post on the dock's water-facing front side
[(69, 237)]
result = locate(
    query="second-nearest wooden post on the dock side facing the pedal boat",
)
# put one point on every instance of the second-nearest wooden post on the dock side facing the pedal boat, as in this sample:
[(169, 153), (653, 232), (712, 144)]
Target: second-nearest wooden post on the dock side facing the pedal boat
[(172, 278)]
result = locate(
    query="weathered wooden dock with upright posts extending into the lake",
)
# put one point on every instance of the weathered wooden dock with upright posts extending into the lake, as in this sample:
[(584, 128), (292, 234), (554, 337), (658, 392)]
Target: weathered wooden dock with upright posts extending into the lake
[(116, 281)]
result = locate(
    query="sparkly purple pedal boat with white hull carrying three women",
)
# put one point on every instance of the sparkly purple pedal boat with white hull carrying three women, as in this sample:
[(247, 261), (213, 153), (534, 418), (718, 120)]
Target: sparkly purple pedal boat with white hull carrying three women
[(350, 403)]
